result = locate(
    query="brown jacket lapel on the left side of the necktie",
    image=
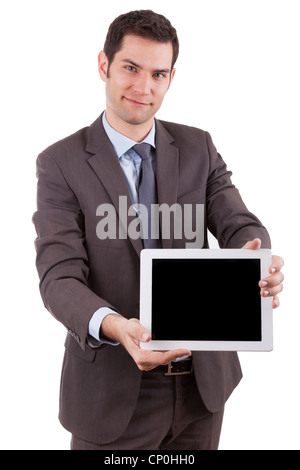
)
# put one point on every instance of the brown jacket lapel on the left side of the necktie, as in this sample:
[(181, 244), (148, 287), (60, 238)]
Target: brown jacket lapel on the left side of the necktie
[(104, 162)]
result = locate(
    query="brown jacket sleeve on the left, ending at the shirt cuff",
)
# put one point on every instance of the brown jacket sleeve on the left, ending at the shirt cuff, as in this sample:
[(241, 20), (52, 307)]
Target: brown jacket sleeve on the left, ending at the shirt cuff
[(62, 260)]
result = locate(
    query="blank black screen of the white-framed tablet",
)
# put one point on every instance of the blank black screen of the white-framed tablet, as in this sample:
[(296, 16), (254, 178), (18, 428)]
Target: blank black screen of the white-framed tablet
[(206, 300)]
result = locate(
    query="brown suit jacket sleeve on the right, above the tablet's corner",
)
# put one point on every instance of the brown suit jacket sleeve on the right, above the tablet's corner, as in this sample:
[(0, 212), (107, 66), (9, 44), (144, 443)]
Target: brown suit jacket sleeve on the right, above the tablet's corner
[(228, 218)]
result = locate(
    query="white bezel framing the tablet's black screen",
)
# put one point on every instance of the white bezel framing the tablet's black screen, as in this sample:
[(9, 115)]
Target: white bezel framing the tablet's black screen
[(147, 255)]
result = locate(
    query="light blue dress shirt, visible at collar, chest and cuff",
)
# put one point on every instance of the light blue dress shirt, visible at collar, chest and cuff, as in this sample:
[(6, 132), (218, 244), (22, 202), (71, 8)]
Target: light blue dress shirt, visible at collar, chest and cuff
[(130, 163)]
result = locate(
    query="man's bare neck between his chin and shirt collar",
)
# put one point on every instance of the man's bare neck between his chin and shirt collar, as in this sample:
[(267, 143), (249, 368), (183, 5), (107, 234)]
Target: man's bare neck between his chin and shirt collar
[(136, 132)]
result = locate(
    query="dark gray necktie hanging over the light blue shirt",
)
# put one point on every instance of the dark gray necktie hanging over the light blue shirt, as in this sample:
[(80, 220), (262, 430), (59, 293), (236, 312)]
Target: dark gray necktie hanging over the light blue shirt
[(147, 190)]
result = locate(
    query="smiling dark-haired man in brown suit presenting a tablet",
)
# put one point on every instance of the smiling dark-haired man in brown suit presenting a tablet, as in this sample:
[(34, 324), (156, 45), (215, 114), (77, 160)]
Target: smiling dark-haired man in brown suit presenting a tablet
[(113, 394)]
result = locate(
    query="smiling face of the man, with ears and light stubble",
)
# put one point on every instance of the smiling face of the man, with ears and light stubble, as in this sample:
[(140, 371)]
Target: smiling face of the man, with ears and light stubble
[(139, 77)]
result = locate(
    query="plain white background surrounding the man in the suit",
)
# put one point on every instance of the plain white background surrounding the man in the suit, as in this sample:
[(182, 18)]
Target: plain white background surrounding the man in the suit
[(237, 77)]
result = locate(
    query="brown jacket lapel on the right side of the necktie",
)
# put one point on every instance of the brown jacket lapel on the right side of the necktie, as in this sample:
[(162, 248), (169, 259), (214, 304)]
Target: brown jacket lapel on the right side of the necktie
[(167, 172)]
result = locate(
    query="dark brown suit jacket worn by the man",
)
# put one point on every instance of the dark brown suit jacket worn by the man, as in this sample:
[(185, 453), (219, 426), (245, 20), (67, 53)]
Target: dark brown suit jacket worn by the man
[(80, 273)]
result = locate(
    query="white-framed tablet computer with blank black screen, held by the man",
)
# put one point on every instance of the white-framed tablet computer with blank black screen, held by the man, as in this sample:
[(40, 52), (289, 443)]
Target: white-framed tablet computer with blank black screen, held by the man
[(206, 299)]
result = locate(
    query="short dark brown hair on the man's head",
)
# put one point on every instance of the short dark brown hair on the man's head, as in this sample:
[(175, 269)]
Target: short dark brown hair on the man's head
[(143, 23)]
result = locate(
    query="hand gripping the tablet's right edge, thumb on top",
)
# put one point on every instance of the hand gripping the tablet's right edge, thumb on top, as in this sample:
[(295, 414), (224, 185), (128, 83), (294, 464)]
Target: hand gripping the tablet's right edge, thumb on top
[(272, 285)]
